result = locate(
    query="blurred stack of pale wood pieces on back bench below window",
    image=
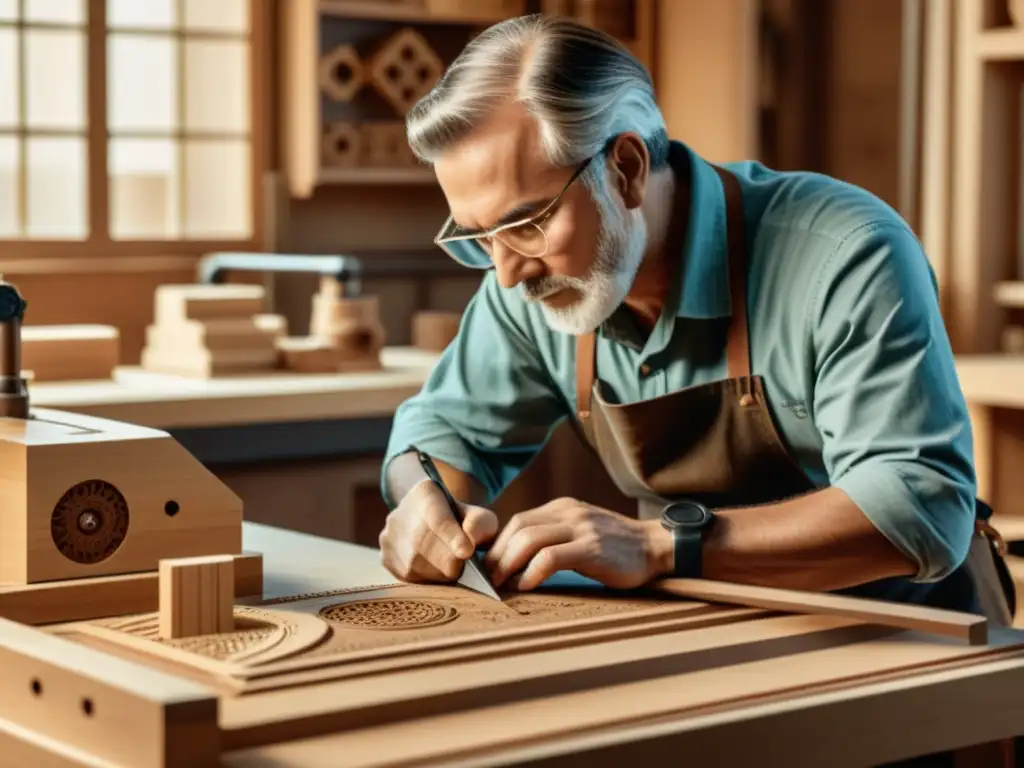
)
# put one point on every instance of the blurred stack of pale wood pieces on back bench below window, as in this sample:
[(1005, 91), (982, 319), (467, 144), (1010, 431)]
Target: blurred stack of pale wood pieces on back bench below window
[(204, 331)]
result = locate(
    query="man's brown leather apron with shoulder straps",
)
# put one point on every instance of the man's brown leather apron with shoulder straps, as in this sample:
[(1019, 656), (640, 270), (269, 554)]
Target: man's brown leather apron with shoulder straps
[(717, 444)]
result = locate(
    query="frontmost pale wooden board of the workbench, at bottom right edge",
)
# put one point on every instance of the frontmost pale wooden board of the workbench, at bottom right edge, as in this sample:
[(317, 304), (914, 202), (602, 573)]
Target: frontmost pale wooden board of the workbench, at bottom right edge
[(784, 711)]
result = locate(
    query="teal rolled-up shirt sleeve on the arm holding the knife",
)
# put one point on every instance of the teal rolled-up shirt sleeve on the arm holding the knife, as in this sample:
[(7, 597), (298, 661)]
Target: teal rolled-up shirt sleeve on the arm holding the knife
[(489, 405)]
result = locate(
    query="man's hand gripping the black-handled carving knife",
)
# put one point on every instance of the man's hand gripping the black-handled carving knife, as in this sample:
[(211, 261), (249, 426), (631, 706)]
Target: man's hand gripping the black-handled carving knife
[(422, 542)]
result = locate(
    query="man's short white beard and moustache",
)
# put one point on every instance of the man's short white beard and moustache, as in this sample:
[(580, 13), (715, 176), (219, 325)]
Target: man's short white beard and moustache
[(621, 247)]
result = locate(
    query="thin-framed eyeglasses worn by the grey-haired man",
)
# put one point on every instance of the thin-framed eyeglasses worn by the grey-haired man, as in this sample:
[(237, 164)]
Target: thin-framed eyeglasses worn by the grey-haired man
[(526, 236)]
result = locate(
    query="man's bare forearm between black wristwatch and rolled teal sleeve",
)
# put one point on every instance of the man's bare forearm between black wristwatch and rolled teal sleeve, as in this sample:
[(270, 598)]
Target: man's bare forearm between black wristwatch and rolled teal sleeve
[(820, 542)]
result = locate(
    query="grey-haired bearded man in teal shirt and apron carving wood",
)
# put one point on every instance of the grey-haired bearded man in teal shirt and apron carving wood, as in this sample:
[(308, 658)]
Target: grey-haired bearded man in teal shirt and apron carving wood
[(758, 358)]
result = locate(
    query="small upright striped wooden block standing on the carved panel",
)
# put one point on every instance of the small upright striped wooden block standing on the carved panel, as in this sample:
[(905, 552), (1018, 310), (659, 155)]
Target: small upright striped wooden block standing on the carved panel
[(197, 596)]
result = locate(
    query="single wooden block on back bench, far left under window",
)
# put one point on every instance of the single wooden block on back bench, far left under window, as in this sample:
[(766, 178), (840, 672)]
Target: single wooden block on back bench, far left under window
[(71, 353)]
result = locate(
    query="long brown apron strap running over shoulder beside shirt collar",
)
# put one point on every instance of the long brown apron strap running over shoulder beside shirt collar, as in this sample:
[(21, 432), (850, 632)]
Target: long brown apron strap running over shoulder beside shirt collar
[(738, 346)]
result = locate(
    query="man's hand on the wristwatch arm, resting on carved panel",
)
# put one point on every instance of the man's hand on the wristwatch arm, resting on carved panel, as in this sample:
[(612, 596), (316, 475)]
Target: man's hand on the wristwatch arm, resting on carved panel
[(568, 535)]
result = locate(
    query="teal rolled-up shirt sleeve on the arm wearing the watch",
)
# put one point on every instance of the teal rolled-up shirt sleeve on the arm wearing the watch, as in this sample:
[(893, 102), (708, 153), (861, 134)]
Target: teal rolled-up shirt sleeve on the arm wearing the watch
[(888, 403)]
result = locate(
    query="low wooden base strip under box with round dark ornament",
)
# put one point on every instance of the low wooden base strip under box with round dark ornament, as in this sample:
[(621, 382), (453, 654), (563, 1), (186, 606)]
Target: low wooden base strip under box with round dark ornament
[(100, 598)]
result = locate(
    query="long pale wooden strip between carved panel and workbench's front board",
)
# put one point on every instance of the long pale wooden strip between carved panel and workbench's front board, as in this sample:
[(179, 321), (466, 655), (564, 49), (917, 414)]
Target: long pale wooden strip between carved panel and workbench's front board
[(298, 713)]
